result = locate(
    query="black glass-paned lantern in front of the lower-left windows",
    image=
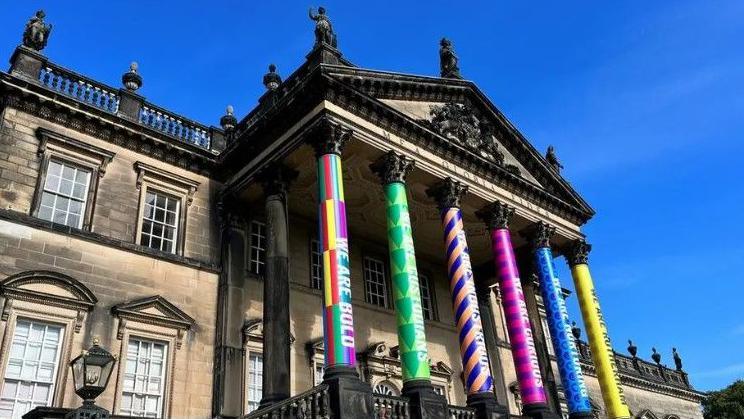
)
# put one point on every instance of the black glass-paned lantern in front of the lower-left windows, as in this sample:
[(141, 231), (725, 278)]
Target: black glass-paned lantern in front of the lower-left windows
[(91, 372)]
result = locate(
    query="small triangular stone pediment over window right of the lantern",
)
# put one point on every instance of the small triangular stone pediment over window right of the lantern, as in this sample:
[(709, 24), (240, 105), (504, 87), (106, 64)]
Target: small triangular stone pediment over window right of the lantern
[(154, 310)]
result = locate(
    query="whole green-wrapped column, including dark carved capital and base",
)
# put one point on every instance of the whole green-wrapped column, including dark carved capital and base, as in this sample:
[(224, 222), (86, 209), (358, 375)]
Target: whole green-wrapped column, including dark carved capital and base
[(392, 169)]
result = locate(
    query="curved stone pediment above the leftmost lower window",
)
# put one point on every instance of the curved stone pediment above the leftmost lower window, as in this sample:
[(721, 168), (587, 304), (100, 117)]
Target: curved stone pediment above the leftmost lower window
[(47, 288)]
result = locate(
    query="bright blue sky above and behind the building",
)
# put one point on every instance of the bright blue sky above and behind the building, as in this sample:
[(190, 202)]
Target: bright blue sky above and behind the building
[(643, 101)]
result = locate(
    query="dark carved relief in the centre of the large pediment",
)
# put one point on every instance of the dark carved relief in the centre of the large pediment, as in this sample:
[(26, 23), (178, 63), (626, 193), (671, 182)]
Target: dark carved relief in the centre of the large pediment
[(458, 123)]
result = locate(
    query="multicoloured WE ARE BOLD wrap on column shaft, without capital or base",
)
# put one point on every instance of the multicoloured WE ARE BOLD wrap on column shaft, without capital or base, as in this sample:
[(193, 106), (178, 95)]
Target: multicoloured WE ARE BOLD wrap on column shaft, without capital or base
[(338, 321)]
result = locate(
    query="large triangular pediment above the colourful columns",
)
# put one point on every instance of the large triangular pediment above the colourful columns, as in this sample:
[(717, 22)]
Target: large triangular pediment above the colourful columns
[(456, 112)]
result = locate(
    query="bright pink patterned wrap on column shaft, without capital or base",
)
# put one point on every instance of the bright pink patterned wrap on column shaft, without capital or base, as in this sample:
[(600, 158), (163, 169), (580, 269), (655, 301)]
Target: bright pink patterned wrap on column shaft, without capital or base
[(517, 320)]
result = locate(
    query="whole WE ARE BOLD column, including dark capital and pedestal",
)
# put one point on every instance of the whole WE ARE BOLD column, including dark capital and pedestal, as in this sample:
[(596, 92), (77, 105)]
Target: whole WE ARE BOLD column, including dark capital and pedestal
[(350, 397)]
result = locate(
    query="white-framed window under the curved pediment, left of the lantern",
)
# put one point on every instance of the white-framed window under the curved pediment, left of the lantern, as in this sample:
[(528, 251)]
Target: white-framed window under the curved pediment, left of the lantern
[(55, 370)]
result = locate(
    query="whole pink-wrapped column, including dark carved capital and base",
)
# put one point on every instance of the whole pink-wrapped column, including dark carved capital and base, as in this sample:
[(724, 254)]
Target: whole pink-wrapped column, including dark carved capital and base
[(531, 388)]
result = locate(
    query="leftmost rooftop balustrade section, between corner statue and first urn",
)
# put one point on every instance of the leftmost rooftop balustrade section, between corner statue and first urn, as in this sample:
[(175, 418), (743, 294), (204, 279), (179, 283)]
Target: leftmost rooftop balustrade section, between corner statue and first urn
[(79, 87)]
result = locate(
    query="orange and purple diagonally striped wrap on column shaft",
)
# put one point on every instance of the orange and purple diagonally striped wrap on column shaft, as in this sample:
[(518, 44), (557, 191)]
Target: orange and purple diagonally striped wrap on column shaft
[(465, 304)]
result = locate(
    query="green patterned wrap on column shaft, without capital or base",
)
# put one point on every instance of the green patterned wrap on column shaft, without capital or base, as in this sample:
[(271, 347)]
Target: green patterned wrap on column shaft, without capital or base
[(411, 335)]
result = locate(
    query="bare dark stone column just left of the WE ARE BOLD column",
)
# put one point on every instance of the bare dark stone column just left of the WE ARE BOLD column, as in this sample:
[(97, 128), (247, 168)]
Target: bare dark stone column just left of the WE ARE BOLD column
[(276, 335)]
